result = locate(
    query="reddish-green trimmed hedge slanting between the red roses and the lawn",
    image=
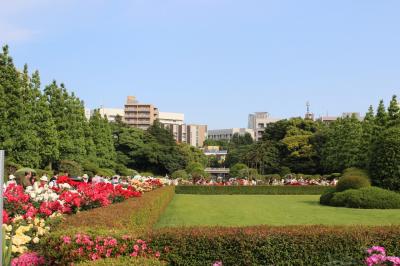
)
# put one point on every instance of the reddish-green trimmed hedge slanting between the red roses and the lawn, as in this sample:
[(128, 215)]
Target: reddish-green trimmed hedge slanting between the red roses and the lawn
[(133, 216)]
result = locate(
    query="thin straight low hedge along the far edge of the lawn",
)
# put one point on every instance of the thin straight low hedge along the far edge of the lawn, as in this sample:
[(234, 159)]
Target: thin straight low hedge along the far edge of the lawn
[(251, 190)]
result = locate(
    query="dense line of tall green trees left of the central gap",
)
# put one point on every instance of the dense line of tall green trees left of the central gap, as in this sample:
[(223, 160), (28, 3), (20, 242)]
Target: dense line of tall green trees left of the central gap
[(47, 129)]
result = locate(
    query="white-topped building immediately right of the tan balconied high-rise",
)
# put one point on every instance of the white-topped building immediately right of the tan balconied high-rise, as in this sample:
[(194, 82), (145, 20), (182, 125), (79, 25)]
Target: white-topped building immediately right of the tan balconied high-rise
[(174, 122)]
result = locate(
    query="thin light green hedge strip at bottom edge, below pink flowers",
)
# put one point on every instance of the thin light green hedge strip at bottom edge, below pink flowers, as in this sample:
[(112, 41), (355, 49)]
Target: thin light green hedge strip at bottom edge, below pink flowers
[(123, 261)]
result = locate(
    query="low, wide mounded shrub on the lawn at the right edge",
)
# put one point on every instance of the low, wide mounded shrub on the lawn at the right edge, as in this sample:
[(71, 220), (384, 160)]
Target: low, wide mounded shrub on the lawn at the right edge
[(367, 198)]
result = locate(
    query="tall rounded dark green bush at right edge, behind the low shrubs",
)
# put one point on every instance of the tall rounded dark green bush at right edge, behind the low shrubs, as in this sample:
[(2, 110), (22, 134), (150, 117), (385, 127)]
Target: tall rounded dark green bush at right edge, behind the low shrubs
[(385, 164)]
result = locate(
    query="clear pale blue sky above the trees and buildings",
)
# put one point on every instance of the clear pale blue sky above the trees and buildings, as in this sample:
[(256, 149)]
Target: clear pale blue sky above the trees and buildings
[(214, 60)]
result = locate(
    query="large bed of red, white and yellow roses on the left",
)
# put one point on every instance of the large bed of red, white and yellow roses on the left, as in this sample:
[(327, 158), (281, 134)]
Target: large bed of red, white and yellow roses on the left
[(28, 214)]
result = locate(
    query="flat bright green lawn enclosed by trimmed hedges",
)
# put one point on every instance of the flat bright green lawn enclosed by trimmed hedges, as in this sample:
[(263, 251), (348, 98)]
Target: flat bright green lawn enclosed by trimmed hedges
[(247, 210)]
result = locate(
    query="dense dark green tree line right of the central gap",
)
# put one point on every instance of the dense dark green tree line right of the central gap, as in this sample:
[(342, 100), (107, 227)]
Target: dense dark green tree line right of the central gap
[(312, 147)]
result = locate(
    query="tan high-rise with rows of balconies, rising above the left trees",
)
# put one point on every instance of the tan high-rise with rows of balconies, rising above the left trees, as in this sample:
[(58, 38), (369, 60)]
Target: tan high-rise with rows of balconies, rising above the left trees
[(139, 115)]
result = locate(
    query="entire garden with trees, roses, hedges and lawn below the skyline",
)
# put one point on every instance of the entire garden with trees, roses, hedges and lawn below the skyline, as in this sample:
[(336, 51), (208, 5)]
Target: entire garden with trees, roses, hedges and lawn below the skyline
[(92, 192)]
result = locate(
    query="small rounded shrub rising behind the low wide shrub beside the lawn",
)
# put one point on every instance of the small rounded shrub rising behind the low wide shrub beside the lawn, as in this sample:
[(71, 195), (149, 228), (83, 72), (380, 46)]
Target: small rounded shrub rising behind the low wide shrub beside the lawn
[(353, 179)]
